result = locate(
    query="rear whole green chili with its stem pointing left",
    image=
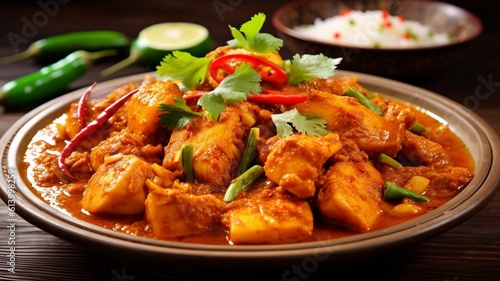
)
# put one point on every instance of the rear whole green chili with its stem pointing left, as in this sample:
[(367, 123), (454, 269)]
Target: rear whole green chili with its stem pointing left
[(54, 48)]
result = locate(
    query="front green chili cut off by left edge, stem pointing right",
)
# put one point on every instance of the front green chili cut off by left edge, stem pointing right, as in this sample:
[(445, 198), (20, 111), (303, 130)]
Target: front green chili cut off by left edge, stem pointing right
[(49, 81)]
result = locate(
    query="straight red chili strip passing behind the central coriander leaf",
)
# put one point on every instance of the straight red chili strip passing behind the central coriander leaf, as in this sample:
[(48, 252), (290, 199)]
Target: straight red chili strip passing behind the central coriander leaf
[(267, 96)]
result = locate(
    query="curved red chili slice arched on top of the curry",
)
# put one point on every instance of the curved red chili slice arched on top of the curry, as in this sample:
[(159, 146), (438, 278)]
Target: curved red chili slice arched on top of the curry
[(269, 71)]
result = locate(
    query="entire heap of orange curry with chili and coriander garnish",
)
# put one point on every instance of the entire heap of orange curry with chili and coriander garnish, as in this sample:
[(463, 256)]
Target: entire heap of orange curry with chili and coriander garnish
[(245, 148)]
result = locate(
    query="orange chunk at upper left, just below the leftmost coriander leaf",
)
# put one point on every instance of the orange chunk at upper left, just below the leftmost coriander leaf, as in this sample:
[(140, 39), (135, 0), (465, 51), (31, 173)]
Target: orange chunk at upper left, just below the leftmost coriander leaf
[(142, 108)]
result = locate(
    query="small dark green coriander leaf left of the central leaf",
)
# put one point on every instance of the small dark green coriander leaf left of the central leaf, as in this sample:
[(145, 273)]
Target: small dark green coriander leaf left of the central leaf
[(177, 115)]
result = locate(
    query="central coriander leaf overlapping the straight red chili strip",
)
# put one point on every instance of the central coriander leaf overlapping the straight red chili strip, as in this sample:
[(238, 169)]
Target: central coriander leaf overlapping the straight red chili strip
[(236, 87)]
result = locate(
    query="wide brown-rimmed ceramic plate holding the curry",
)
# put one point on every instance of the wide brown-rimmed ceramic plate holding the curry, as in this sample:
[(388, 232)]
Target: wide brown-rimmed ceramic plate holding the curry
[(259, 262)]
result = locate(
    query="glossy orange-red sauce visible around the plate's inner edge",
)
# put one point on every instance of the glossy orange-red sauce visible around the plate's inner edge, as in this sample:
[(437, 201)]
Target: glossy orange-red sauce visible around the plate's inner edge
[(66, 197)]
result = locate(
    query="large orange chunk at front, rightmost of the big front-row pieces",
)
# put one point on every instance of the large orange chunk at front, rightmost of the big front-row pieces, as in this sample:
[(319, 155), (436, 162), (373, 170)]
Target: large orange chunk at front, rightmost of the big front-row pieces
[(351, 194)]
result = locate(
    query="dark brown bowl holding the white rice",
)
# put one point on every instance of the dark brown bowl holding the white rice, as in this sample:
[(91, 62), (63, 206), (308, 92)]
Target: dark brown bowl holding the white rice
[(397, 63)]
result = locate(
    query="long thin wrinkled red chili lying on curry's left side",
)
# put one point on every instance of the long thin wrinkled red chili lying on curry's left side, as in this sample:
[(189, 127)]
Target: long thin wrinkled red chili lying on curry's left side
[(89, 129)]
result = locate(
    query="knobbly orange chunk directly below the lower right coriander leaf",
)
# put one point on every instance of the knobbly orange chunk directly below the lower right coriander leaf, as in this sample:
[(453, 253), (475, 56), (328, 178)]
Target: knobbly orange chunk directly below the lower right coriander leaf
[(296, 162)]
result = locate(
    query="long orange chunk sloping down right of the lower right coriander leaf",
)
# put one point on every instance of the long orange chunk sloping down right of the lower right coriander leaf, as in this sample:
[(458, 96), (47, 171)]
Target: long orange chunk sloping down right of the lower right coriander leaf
[(345, 115)]
